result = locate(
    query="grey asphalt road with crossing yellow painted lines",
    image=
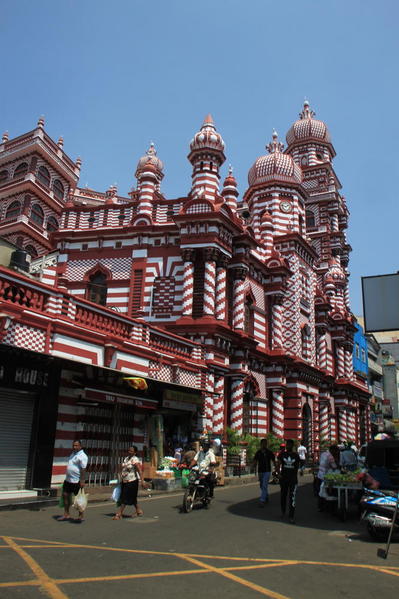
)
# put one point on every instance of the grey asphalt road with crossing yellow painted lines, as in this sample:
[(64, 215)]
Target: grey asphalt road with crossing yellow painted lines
[(235, 549)]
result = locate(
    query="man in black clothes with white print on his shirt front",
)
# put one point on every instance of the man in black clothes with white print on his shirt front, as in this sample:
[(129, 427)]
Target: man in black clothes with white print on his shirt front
[(288, 469)]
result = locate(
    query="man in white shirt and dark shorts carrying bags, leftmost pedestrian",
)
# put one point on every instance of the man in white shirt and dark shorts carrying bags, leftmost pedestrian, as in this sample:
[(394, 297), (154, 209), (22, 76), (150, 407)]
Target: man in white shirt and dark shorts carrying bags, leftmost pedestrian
[(74, 479)]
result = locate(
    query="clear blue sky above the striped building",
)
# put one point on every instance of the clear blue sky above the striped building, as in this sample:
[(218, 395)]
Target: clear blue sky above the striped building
[(111, 77)]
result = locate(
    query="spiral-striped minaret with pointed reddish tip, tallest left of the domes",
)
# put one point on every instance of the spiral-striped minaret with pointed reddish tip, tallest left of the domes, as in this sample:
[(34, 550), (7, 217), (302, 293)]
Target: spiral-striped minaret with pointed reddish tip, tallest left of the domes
[(206, 156)]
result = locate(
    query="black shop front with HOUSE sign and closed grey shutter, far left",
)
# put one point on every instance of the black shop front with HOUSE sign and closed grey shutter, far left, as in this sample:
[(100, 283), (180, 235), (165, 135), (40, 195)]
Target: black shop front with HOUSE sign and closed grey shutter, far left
[(28, 412)]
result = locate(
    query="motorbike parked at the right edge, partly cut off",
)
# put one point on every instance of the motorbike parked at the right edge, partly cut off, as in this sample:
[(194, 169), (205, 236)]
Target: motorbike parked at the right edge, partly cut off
[(378, 510)]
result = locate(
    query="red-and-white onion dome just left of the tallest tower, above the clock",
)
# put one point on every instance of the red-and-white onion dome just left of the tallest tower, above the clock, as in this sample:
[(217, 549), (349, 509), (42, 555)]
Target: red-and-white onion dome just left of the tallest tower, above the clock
[(275, 166)]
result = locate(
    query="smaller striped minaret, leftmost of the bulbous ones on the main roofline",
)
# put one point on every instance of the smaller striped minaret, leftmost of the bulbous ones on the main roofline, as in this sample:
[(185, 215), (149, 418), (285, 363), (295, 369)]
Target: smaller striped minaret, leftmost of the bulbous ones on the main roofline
[(149, 176)]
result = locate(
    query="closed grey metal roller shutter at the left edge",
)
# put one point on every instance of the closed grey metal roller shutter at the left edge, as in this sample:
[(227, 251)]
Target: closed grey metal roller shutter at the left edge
[(16, 415)]
